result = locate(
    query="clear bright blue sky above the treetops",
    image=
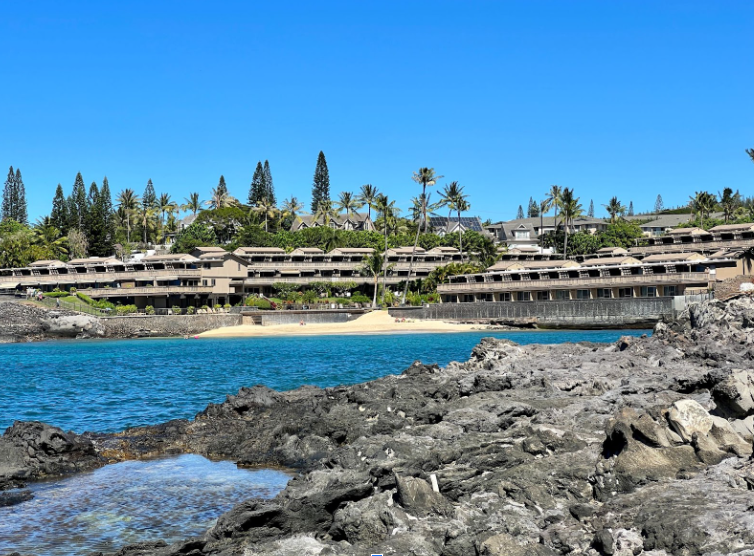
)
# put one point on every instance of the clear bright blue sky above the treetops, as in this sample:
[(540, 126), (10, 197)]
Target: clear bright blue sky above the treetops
[(629, 98)]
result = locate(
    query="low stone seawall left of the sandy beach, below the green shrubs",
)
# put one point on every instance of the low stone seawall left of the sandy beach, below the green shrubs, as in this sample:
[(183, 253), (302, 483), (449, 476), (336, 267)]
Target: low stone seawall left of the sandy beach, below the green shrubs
[(162, 326)]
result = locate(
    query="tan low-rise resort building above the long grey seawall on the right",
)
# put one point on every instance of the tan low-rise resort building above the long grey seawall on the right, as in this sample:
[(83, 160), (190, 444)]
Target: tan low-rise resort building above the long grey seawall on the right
[(619, 276)]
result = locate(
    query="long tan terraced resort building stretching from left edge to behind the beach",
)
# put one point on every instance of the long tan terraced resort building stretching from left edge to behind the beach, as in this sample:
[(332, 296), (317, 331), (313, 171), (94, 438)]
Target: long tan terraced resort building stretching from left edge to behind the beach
[(211, 275)]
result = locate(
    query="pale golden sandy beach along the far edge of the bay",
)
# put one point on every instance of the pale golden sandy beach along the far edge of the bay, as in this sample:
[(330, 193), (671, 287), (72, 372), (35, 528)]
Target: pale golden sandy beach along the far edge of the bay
[(377, 322)]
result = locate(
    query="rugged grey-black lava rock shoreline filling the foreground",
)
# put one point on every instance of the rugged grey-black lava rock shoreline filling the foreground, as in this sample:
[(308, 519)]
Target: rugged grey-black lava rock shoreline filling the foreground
[(638, 447)]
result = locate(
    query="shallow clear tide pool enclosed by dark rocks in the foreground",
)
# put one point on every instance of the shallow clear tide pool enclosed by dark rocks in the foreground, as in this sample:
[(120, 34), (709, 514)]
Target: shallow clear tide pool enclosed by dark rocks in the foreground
[(130, 502)]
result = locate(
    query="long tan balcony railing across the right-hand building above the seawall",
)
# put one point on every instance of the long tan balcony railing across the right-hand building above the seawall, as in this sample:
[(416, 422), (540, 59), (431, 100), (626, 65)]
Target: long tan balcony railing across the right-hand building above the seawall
[(577, 283)]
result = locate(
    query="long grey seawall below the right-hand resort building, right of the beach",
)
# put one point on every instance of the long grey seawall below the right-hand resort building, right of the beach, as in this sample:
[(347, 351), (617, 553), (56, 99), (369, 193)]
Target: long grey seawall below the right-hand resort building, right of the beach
[(596, 313)]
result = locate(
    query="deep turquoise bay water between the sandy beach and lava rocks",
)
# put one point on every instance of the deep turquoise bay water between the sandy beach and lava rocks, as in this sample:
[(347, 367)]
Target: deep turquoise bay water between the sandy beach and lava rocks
[(108, 386)]
